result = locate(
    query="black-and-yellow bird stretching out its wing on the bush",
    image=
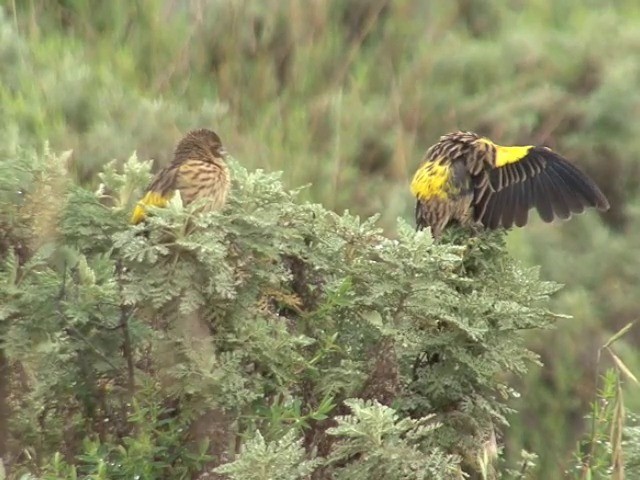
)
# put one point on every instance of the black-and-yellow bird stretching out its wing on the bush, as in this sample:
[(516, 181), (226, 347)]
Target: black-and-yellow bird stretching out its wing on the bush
[(468, 179)]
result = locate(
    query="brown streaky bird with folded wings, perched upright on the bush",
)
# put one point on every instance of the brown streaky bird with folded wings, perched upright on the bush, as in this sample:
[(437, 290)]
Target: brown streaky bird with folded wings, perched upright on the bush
[(198, 171)]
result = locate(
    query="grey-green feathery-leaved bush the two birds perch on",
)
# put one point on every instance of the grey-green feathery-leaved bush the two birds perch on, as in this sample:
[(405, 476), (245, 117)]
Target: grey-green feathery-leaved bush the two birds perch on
[(274, 339)]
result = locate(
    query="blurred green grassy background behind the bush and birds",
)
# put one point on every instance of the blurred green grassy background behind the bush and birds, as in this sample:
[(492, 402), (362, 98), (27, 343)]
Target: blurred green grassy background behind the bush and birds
[(346, 96)]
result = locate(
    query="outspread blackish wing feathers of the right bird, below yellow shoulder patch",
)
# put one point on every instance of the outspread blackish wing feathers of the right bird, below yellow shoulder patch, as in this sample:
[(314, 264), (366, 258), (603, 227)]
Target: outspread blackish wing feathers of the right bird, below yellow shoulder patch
[(542, 179)]
